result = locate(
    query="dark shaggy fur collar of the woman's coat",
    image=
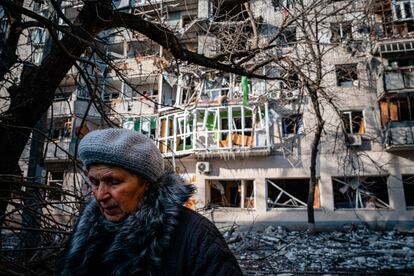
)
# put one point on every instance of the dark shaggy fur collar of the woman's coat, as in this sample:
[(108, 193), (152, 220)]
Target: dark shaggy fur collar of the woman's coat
[(137, 246)]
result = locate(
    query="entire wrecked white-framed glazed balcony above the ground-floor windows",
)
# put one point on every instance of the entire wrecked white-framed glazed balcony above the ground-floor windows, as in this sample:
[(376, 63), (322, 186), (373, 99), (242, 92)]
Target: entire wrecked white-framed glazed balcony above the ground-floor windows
[(214, 131)]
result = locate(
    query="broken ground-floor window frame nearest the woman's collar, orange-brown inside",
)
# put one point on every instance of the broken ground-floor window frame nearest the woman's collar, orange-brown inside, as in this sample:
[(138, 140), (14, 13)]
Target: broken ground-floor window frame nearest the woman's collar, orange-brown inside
[(246, 202)]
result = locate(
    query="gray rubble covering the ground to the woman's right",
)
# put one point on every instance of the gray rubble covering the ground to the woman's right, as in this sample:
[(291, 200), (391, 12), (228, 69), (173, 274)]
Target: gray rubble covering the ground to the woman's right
[(356, 248)]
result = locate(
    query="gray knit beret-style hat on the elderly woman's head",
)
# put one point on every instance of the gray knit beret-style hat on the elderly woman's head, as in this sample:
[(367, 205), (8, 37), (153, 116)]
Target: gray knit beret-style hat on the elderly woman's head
[(123, 148)]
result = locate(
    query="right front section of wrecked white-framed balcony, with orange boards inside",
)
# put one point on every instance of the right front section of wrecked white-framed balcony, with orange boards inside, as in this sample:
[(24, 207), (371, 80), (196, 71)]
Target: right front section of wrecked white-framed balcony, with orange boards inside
[(232, 129)]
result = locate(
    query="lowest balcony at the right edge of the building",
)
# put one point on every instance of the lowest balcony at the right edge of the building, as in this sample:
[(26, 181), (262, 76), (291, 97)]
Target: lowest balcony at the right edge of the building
[(399, 136)]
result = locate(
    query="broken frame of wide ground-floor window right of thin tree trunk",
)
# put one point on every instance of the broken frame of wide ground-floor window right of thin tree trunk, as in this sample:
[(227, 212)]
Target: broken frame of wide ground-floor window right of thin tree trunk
[(358, 186)]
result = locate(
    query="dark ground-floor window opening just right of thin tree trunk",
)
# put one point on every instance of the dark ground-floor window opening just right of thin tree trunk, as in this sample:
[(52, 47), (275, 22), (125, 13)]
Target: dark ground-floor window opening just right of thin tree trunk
[(360, 192)]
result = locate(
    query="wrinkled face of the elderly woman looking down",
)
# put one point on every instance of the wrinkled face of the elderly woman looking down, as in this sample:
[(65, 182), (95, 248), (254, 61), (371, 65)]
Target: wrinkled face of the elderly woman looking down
[(116, 190)]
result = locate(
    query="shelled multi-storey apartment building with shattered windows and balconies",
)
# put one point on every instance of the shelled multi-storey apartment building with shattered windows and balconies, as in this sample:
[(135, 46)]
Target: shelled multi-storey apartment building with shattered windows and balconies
[(244, 142)]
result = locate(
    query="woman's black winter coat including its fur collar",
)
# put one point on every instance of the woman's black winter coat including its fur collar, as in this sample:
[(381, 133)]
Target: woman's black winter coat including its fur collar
[(162, 238)]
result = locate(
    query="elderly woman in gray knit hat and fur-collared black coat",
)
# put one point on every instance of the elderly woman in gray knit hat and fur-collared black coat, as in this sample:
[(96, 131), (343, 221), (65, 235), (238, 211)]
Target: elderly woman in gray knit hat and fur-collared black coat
[(136, 224)]
